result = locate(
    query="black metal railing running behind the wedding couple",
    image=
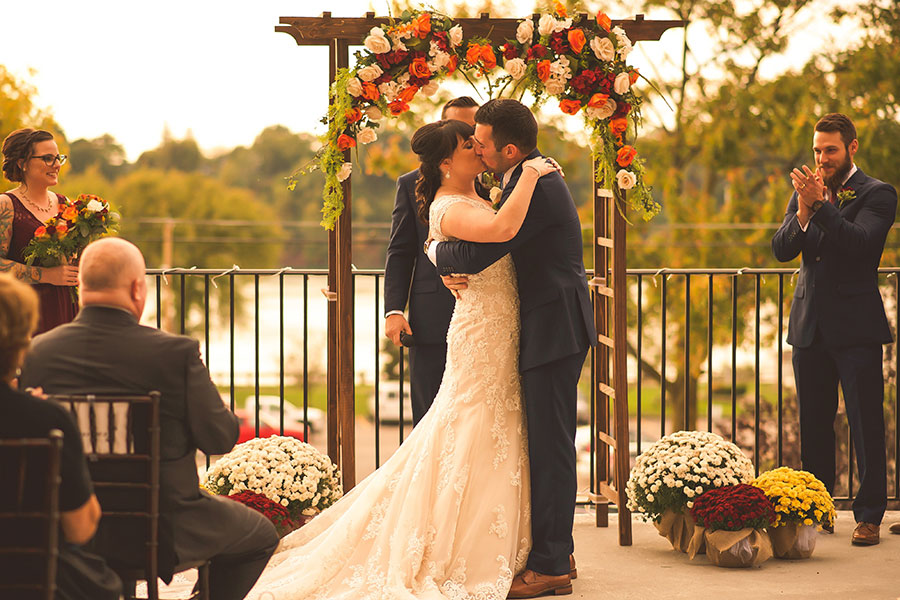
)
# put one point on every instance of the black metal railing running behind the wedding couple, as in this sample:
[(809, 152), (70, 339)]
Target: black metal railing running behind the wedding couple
[(706, 351)]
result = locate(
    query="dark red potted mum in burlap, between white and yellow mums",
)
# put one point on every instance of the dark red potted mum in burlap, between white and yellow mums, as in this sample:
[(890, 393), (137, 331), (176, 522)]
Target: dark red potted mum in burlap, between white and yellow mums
[(731, 523)]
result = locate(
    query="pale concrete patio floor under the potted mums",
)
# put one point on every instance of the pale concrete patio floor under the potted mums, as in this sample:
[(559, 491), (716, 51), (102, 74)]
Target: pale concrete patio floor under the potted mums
[(650, 569)]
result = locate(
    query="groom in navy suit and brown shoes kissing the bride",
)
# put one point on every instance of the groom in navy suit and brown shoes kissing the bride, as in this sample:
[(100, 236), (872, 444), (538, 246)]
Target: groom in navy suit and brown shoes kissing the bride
[(557, 330)]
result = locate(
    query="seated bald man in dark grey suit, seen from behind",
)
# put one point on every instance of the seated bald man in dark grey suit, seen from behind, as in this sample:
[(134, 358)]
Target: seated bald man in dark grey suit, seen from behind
[(106, 351)]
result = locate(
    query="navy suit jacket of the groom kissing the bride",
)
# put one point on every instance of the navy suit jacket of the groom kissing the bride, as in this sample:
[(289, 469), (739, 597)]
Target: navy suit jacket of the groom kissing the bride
[(556, 314)]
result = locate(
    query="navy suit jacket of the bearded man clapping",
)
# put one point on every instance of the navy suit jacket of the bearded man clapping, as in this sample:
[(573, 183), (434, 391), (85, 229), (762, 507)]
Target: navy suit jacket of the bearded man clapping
[(837, 291)]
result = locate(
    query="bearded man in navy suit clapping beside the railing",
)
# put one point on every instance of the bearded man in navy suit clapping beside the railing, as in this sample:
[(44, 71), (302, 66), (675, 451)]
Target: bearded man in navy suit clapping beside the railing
[(838, 218)]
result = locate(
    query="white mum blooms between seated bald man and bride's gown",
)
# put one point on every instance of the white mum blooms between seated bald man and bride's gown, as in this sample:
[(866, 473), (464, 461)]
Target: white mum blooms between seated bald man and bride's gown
[(283, 469)]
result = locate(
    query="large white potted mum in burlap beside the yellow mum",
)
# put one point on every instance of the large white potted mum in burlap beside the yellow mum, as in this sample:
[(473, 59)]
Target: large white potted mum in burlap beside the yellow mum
[(674, 471)]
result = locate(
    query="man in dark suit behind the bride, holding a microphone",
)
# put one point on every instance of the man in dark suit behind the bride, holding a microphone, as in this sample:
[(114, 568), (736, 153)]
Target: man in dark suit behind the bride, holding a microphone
[(410, 280)]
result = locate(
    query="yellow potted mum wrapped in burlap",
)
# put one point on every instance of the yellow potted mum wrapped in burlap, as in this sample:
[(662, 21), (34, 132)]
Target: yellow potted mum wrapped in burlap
[(801, 504)]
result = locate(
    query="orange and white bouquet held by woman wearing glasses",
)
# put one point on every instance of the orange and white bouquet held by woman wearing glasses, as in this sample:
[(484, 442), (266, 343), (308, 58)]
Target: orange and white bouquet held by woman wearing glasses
[(62, 238)]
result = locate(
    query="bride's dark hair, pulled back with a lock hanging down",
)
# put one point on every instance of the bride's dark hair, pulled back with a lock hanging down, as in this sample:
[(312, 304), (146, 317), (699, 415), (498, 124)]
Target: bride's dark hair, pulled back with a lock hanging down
[(433, 143)]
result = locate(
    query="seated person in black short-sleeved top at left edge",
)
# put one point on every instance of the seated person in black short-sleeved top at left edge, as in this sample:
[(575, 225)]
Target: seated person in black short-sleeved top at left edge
[(79, 574)]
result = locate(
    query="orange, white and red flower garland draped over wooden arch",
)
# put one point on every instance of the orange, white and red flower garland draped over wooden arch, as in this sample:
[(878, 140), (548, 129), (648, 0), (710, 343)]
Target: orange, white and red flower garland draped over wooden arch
[(580, 64)]
